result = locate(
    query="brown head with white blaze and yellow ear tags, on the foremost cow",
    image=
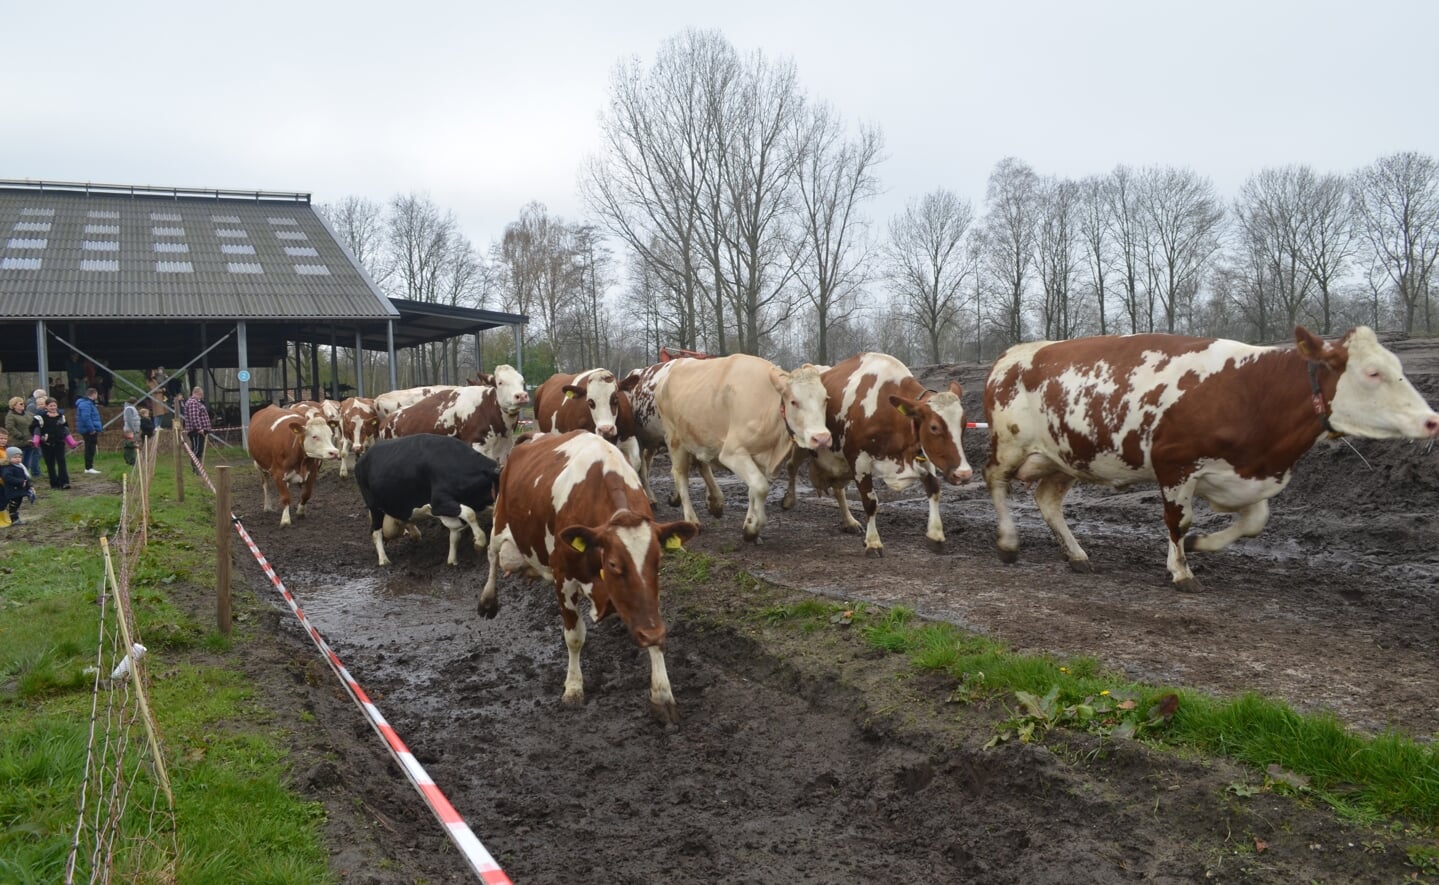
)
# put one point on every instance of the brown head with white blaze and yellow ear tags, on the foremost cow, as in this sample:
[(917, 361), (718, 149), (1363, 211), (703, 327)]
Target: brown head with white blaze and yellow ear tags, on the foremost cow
[(622, 562)]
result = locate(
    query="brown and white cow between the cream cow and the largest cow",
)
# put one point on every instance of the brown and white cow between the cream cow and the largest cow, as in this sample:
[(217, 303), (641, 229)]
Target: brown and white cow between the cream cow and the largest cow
[(887, 427)]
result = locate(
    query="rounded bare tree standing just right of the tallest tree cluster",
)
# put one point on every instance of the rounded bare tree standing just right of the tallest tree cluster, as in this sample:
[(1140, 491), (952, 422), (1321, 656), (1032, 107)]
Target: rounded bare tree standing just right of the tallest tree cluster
[(927, 264)]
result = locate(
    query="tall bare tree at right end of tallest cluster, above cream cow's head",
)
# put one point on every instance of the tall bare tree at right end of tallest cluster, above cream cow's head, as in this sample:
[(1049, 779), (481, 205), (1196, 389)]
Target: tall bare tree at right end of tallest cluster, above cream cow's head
[(835, 178)]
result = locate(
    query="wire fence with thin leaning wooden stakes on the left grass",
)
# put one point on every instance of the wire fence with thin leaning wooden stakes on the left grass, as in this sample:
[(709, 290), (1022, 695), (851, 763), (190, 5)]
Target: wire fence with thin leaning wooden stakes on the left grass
[(126, 820)]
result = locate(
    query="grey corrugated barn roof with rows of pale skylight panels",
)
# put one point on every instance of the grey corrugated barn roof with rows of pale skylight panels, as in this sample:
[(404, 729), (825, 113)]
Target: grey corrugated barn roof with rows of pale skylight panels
[(116, 253)]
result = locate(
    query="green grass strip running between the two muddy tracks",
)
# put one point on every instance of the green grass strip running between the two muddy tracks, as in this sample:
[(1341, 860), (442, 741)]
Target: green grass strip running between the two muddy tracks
[(1315, 756)]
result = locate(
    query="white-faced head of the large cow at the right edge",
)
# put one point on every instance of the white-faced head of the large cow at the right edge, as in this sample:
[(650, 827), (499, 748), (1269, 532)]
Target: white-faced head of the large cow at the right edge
[(1372, 396)]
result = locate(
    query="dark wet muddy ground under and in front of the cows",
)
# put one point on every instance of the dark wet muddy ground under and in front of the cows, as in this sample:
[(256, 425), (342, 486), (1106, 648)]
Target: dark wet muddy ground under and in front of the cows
[(807, 761)]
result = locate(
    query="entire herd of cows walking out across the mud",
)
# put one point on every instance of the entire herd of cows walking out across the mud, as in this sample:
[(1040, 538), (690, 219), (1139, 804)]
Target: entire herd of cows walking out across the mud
[(1212, 419)]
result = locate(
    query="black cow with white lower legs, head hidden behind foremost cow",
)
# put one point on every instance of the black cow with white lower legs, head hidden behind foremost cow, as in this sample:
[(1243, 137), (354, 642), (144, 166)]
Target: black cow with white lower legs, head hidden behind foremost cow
[(427, 476)]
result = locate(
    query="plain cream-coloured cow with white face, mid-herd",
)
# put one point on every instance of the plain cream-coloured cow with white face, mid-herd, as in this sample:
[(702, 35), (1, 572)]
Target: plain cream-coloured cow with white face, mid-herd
[(746, 414)]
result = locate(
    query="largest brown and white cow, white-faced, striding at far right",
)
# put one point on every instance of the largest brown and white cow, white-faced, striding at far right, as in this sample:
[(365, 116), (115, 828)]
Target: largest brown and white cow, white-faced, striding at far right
[(1205, 418)]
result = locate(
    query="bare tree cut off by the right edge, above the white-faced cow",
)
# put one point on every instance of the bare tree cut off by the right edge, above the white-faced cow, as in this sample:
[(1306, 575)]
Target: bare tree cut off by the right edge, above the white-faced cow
[(1397, 202)]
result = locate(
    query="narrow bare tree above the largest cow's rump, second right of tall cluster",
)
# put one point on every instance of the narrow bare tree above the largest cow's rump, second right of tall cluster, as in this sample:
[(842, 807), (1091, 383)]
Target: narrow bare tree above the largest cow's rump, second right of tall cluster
[(1011, 221)]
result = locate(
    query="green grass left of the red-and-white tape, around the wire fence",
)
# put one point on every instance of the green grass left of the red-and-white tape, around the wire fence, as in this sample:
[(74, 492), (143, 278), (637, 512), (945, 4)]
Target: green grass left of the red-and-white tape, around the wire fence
[(235, 818)]
